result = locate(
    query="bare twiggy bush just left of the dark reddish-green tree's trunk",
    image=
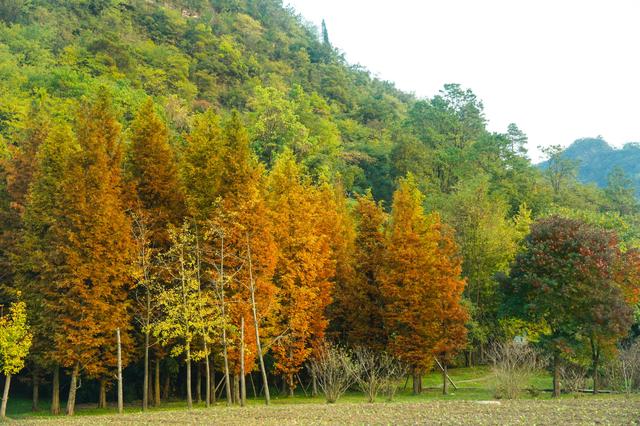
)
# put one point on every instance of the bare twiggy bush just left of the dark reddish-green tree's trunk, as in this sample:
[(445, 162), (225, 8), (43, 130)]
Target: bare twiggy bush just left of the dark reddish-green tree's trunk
[(514, 365)]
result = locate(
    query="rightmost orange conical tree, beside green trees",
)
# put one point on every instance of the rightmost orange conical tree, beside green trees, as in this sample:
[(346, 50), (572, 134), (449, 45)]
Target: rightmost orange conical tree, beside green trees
[(421, 285)]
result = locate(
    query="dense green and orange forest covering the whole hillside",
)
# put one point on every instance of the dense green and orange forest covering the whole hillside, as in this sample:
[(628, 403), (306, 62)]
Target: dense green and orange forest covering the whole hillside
[(205, 191)]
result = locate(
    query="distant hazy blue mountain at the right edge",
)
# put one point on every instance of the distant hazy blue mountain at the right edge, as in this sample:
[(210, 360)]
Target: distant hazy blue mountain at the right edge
[(597, 159)]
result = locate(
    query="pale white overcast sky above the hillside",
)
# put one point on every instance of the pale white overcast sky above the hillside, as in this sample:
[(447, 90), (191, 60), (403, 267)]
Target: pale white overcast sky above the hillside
[(560, 69)]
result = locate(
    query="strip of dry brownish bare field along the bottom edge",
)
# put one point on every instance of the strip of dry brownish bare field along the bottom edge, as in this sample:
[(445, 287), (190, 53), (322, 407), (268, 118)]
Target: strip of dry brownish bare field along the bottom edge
[(567, 411)]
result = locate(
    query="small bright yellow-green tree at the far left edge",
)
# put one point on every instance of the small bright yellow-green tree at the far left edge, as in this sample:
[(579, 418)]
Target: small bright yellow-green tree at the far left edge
[(15, 341)]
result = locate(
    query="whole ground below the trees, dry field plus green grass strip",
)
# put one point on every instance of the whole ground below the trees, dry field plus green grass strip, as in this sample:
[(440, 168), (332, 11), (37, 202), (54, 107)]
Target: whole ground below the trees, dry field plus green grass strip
[(472, 403)]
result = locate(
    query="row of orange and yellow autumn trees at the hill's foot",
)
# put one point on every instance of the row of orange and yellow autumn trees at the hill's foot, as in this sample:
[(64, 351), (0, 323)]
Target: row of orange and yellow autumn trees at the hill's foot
[(190, 245)]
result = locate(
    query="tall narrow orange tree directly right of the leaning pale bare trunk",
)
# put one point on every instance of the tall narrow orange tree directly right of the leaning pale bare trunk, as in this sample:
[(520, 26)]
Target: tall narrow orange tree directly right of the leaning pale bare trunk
[(303, 269)]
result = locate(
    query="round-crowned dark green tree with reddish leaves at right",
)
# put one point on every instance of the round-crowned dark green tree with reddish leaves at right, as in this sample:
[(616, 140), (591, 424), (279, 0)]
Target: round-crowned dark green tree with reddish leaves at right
[(569, 276)]
